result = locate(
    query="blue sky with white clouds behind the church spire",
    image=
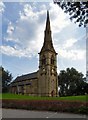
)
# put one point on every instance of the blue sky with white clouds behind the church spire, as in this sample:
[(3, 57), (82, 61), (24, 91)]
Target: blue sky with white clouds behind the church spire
[(22, 37)]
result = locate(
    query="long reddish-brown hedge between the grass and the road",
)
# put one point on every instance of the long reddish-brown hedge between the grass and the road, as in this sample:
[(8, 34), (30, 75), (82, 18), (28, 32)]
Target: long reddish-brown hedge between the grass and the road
[(50, 105)]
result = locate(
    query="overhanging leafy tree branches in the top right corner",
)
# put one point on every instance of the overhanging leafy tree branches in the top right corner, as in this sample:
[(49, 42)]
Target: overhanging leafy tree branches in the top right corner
[(76, 10)]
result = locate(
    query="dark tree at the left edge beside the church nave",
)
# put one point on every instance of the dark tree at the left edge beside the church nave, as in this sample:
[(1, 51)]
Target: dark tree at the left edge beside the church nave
[(6, 77)]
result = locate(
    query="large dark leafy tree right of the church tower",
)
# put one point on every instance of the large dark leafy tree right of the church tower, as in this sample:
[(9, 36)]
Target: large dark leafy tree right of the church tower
[(71, 82)]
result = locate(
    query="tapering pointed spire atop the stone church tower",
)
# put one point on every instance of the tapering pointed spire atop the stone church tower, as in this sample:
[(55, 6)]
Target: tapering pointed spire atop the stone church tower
[(47, 45)]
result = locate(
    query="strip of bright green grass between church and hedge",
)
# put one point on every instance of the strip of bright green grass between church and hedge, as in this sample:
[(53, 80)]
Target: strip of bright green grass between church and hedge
[(24, 97)]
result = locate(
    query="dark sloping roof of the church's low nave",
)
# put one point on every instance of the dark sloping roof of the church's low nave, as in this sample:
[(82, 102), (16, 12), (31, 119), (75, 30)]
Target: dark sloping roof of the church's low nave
[(26, 77)]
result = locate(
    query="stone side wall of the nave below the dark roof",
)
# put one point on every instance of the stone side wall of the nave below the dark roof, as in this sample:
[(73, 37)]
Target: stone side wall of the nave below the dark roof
[(29, 87)]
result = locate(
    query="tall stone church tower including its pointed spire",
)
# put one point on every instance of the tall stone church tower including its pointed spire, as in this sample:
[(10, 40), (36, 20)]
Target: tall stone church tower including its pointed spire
[(48, 81)]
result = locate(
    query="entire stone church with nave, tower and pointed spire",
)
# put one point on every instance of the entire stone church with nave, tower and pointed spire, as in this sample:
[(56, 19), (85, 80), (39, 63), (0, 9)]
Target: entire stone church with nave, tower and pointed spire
[(43, 82)]
